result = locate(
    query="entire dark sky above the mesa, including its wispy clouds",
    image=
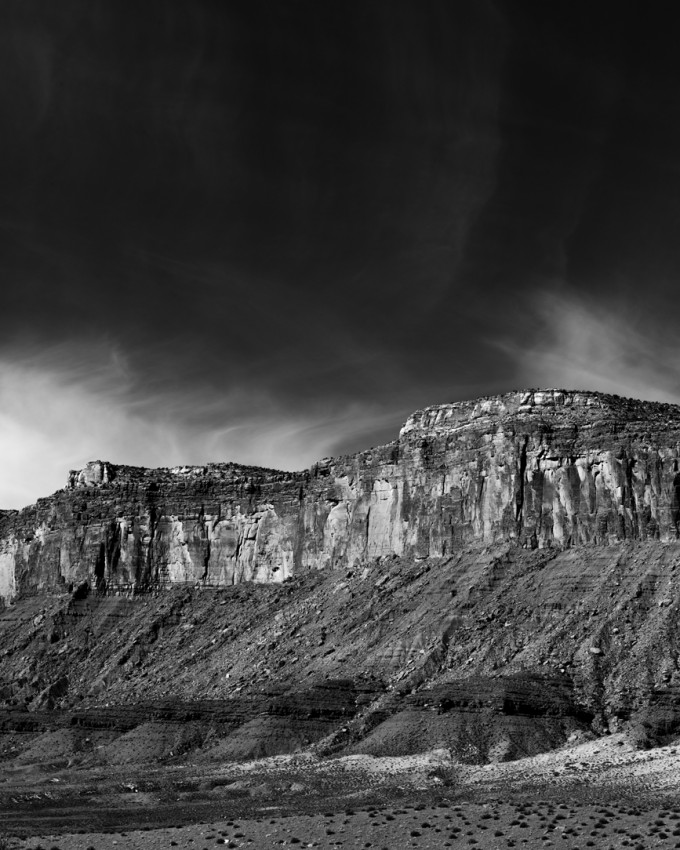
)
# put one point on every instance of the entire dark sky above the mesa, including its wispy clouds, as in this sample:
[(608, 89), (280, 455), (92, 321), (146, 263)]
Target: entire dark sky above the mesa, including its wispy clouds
[(268, 231)]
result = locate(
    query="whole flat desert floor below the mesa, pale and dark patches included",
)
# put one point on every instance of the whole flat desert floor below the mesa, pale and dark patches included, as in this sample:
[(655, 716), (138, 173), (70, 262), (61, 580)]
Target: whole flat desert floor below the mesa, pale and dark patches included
[(601, 793)]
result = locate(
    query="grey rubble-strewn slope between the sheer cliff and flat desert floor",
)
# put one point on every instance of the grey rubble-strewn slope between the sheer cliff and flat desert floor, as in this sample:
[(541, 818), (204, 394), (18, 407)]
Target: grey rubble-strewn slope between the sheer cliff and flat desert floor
[(495, 652)]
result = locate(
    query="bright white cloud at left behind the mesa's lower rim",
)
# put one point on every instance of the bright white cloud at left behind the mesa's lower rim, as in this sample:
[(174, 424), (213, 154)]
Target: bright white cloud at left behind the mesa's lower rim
[(79, 402)]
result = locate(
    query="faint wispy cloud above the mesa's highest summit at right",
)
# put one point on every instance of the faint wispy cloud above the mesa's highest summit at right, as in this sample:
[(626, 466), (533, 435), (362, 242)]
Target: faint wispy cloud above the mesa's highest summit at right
[(584, 344)]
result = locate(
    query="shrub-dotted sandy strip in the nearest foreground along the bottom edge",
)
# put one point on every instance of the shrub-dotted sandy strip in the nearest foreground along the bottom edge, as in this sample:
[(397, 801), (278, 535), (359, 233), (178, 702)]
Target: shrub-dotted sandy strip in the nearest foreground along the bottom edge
[(483, 826)]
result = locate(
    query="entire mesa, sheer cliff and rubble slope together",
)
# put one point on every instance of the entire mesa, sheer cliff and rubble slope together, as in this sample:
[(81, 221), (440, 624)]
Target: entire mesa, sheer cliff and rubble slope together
[(500, 579)]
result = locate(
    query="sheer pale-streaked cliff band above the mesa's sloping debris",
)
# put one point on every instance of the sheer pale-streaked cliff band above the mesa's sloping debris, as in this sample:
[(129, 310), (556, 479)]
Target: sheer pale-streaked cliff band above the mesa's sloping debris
[(541, 469)]
